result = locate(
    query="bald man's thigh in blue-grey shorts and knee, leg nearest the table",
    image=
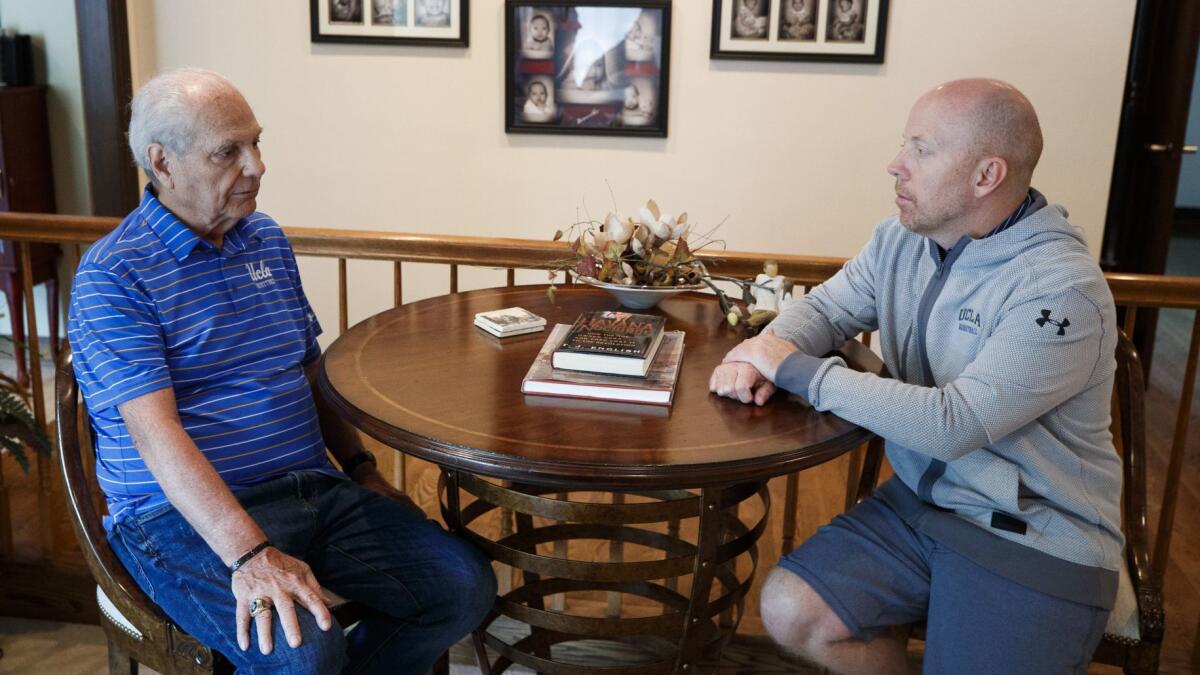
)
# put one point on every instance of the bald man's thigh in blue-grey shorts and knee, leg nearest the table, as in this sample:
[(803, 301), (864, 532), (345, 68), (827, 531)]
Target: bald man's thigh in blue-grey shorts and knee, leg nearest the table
[(867, 566)]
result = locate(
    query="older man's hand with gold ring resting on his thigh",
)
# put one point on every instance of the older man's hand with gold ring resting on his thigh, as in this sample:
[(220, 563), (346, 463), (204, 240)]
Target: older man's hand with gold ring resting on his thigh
[(286, 581)]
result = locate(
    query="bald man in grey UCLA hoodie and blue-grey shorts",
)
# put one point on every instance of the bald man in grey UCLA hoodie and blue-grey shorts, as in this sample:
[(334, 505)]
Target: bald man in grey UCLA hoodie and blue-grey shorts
[(1001, 527)]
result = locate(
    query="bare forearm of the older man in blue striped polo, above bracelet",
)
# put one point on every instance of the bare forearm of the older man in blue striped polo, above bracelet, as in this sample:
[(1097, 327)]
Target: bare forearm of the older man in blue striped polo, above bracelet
[(188, 479)]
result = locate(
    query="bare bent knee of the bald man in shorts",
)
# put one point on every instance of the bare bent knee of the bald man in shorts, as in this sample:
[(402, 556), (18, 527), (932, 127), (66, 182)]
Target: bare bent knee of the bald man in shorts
[(796, 617)]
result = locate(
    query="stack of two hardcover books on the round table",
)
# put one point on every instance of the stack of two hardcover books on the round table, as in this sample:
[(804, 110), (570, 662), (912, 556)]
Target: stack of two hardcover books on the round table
[(609, 356)]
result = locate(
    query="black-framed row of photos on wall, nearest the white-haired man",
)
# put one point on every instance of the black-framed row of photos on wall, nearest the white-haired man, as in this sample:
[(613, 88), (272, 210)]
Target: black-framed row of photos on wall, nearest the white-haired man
[(428, 23)]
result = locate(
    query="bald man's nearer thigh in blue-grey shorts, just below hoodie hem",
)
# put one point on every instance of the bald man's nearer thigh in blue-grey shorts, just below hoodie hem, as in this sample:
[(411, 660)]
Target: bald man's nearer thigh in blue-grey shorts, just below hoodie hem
[(981, 623)]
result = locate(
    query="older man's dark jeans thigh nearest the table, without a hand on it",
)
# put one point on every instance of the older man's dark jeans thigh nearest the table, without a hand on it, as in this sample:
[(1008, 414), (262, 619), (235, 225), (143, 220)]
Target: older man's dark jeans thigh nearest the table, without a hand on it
[(375, 552)]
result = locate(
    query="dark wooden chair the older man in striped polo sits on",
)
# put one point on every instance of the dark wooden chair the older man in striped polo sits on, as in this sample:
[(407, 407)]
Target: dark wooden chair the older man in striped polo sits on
[(137, 631)]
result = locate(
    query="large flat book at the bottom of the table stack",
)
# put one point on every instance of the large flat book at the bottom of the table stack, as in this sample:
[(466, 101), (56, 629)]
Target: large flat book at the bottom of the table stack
[(657, 389)]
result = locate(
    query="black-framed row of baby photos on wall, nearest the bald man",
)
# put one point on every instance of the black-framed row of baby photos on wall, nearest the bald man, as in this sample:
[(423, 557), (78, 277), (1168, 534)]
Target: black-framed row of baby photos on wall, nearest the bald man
[(800, 31)]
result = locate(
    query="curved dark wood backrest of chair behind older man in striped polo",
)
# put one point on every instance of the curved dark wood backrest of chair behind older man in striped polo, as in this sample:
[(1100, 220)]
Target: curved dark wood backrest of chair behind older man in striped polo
[(161, 644)]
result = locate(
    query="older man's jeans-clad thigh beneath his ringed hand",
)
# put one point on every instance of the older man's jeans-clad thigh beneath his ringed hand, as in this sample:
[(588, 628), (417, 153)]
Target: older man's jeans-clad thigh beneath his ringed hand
[(182, 575)]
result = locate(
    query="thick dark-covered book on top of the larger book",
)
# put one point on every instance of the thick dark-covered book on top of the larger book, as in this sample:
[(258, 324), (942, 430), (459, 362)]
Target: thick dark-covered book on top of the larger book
[(613, 343)]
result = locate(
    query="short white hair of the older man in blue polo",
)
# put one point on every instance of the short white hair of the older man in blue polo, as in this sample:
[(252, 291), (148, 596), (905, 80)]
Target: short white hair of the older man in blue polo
[(164, 112)]
